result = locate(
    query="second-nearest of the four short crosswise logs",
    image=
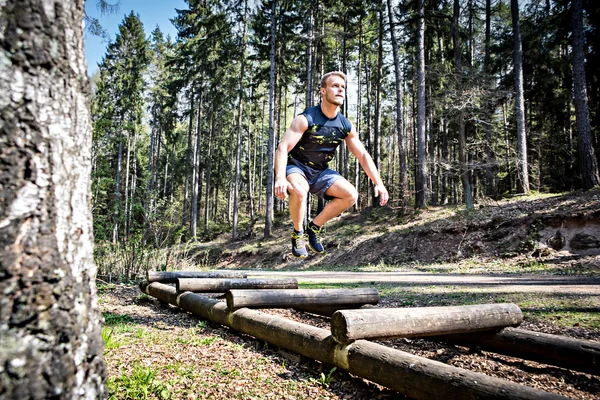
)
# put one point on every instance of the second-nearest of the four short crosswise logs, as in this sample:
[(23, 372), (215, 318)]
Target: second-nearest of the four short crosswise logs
[(291, 298)]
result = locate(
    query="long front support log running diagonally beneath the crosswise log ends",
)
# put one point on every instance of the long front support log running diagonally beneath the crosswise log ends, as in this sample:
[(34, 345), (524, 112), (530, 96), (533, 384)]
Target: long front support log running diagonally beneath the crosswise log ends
[(413, 376)]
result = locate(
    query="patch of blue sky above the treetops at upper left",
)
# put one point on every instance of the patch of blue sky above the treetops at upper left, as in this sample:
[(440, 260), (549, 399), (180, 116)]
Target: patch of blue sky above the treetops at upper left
[(151, 12)]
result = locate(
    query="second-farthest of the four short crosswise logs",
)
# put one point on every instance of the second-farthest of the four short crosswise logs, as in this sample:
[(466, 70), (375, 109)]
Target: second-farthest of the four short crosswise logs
[(209, 285)]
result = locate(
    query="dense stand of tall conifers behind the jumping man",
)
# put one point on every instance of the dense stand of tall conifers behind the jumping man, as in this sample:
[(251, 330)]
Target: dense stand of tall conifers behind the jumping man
[(457, 101)]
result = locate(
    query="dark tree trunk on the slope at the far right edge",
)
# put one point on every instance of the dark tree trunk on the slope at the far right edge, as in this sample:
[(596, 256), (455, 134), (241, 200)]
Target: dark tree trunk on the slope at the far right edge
[(587, 157)]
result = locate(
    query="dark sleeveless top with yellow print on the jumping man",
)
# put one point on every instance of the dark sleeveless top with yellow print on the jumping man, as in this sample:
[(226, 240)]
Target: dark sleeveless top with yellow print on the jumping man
[(319, 142)]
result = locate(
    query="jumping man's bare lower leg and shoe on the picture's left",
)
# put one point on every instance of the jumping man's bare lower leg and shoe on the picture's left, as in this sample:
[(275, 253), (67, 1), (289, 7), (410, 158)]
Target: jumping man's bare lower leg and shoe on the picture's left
[(297, 212)]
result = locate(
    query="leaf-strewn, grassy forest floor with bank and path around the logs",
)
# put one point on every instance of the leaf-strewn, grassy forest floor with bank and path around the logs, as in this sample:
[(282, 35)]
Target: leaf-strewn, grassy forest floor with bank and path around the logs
[(506, 251)]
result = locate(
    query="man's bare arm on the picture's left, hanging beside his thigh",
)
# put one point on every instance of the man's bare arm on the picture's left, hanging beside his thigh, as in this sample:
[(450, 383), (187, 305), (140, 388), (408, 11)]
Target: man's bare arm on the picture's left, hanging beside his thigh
[(290, 138)]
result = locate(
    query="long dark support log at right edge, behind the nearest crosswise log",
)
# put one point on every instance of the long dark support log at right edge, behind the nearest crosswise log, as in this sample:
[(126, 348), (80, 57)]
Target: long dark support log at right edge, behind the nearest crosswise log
[(561, 351)]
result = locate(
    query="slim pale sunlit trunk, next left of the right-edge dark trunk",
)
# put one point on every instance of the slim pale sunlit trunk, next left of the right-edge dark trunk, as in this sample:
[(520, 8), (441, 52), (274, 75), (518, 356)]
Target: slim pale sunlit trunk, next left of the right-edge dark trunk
[(522, 169)]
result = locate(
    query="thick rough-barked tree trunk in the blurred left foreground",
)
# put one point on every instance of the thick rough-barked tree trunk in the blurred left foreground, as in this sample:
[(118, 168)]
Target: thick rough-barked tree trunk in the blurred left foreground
[(49, 319)]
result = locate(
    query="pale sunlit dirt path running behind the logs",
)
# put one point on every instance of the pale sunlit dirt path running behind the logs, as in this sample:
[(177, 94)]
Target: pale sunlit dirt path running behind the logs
[(498, 283)]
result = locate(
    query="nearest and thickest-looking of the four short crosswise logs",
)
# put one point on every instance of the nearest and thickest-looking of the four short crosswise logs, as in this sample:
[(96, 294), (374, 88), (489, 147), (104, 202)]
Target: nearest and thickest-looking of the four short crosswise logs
[(386, 323)]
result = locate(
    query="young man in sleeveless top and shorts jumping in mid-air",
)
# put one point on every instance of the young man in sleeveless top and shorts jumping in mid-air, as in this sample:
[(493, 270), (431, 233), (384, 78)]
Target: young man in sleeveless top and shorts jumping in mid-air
[(301, 164)]
